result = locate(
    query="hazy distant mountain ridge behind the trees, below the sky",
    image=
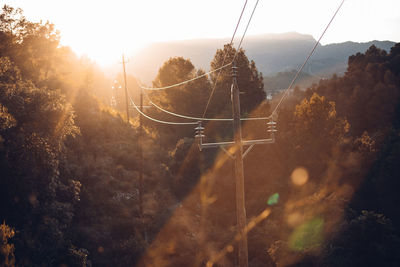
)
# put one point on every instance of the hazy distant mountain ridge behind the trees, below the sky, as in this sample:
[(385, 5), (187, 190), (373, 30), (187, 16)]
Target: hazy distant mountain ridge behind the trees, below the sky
[(272, 53)]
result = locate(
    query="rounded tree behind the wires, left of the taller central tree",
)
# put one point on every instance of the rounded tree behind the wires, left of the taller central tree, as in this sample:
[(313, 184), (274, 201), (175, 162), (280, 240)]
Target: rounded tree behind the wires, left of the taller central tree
[(188, 99)]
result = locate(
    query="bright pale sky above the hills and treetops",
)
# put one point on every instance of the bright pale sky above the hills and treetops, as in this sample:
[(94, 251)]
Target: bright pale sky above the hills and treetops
[(103, 30)]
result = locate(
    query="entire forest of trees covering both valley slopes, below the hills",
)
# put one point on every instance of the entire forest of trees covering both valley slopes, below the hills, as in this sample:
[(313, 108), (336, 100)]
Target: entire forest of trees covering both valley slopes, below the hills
[(324, 194)]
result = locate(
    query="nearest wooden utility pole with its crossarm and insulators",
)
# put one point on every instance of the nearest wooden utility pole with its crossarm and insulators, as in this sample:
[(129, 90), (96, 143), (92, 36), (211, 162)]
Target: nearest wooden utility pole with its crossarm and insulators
[(238, 157)]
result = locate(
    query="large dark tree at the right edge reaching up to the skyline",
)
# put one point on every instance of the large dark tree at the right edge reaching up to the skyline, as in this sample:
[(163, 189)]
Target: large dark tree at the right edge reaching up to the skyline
[(368, 93)]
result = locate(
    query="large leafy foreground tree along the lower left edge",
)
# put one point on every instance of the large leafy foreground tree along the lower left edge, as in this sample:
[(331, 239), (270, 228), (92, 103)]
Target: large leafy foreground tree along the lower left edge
[(35, 199)]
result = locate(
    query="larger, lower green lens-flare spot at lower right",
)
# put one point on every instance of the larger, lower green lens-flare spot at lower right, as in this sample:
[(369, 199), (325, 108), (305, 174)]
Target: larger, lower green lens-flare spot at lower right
[(308, 235)]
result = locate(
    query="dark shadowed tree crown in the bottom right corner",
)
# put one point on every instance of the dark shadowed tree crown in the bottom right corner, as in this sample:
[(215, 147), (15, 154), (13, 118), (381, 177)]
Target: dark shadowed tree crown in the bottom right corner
[(367, 240)]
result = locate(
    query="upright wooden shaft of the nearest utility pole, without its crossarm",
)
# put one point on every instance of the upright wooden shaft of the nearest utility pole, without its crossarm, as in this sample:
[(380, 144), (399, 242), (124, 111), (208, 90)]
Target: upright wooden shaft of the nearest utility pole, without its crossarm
[(239, 173)]
